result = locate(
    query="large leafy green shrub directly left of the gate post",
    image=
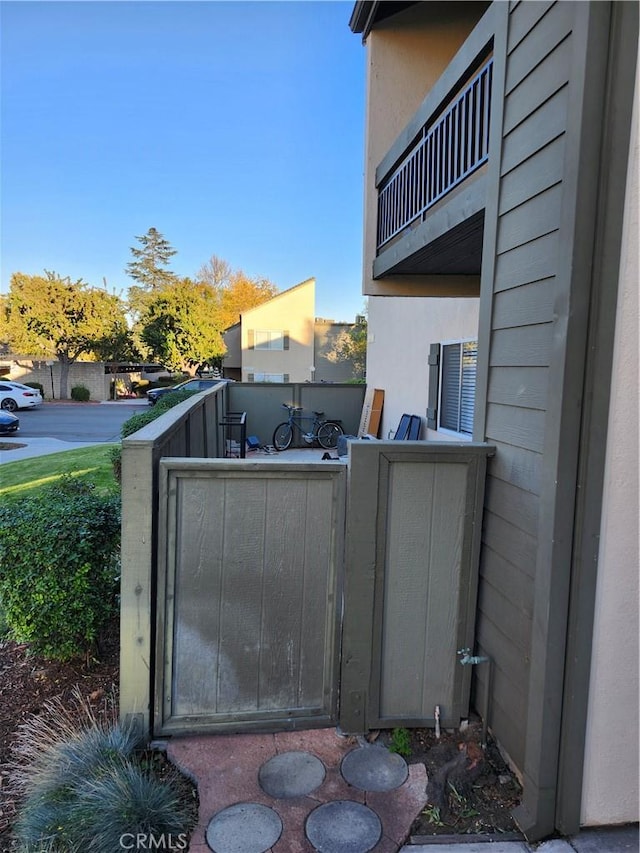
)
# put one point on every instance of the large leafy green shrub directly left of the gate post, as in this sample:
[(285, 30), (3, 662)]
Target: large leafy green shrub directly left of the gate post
[(59, 551)]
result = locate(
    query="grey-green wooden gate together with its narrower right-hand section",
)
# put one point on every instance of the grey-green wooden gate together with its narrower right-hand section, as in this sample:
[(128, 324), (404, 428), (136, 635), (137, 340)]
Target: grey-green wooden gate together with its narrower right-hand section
[(259, 563)]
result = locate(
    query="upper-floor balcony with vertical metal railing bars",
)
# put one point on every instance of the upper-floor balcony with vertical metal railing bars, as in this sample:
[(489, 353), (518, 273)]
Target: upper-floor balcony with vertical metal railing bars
[(431, 185)]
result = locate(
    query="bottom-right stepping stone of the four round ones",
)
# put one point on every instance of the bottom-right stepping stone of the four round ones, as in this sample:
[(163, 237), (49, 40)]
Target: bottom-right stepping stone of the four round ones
[(343, 827)]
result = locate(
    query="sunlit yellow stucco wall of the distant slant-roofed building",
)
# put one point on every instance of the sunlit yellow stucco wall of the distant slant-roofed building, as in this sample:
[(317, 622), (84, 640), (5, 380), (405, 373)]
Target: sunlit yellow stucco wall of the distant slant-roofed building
[(292, 311)]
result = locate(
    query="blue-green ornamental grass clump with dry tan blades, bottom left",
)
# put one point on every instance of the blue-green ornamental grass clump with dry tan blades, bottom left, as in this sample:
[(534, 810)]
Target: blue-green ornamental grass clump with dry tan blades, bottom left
[(82, 785)]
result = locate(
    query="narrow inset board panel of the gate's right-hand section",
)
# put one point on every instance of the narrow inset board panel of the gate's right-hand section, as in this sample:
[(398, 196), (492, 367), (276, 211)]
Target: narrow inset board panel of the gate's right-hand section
[(423, 561)]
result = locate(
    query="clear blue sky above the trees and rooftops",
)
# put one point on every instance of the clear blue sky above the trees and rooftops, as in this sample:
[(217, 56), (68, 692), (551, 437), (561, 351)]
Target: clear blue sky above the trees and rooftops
[(234, 128)]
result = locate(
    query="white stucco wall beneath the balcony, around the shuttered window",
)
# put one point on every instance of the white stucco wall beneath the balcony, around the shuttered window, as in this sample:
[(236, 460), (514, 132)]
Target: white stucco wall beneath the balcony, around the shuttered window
[(400, 332)]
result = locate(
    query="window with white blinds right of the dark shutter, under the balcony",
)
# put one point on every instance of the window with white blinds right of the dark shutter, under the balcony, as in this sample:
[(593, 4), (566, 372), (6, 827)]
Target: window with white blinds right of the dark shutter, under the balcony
[(458, 367)]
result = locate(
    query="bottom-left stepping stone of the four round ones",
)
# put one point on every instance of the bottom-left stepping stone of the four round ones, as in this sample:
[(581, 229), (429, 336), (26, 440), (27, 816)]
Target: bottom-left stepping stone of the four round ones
[(244, 828)]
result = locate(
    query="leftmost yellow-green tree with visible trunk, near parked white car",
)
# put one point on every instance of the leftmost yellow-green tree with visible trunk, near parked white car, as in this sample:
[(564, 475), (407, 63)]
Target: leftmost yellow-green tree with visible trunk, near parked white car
[(53, 316)]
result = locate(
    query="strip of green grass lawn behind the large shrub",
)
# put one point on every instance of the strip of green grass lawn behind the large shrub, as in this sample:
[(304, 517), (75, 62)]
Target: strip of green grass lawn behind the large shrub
[(92, 464)]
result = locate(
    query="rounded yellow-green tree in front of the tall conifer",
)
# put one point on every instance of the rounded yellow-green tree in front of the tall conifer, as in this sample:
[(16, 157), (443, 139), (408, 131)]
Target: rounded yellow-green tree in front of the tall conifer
[(179, 325)]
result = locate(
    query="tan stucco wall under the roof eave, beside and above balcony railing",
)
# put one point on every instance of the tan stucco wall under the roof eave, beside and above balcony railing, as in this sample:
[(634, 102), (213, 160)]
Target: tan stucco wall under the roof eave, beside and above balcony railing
[(406, 55)]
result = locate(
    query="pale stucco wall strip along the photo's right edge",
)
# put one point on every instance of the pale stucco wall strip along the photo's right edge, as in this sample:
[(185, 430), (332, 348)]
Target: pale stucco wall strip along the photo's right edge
[(610, 785)]
